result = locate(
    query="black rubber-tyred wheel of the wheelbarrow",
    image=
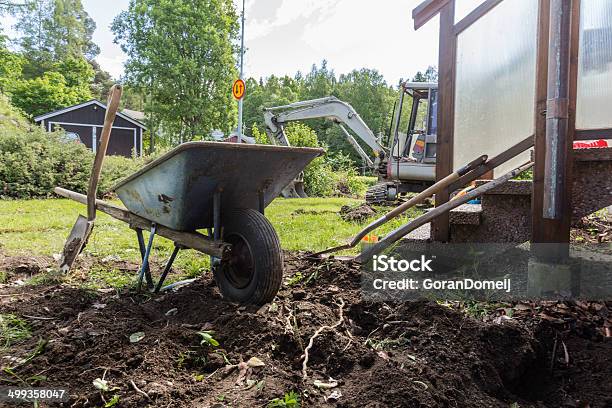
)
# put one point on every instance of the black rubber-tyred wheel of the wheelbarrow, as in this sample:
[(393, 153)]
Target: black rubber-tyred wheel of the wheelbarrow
[(253, 272)]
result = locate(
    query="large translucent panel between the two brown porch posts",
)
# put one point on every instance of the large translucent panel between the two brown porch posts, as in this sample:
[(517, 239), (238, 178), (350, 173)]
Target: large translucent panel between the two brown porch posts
[(495, 83)]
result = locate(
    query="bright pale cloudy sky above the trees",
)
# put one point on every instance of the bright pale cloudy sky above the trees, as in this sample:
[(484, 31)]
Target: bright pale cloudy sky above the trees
[(284, 36)]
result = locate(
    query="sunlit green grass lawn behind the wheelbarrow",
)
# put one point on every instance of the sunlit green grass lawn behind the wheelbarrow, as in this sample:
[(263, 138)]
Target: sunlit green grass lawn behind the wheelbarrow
[(39, 227)]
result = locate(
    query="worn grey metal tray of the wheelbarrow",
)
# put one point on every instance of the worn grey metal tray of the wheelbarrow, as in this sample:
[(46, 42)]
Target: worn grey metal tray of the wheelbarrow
[(176, 190)]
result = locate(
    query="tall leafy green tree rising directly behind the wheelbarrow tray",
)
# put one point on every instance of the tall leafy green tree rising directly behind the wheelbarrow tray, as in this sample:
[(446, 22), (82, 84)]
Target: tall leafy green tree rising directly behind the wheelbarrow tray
[(182, 54)]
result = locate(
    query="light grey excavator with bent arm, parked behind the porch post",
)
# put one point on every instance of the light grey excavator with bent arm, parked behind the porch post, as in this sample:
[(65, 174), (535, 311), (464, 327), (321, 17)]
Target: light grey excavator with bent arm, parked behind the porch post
[(404, 160)]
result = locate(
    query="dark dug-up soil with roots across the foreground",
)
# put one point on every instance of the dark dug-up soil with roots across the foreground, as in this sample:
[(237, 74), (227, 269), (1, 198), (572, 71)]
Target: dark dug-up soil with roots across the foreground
[(413, 354)]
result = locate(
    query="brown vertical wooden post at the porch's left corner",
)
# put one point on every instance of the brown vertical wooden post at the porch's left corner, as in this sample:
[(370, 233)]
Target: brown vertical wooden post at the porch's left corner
[(446, 115)]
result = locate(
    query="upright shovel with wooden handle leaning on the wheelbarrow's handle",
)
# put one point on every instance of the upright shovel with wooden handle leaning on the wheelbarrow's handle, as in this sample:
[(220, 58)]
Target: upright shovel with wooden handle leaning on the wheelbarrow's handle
[(77, 239)]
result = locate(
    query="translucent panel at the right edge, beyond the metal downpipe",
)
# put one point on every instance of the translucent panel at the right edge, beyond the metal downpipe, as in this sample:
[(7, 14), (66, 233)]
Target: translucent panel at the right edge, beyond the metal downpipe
[(595, 65)]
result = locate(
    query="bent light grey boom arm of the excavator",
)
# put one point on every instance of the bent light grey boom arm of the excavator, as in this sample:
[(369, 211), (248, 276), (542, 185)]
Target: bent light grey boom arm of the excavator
[(331, 108)]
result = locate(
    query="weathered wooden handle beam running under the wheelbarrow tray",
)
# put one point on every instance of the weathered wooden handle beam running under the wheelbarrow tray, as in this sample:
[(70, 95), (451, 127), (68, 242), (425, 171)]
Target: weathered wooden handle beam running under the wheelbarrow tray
[(193, 240)]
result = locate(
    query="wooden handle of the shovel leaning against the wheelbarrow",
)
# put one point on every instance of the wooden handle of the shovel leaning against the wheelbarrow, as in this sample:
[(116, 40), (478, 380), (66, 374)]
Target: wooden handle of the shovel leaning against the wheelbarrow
[(114, 97)]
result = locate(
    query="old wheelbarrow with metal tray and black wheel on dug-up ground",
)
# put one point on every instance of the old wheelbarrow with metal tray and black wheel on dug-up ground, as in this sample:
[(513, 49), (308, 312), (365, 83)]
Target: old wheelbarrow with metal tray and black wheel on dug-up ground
[(211, 196)]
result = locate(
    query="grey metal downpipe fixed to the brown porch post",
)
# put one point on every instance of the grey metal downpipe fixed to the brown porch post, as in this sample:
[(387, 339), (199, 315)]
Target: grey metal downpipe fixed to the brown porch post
[(557, 109)]
